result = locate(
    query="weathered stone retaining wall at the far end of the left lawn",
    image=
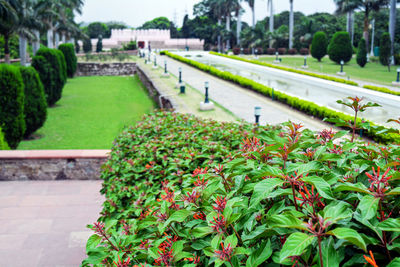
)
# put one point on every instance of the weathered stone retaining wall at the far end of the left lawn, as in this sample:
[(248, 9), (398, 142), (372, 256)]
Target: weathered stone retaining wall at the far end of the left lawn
[(105, 69)]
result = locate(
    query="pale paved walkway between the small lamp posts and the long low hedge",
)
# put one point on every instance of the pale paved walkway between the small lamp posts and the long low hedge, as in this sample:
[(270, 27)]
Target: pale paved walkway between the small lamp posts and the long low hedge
[(241, 101)]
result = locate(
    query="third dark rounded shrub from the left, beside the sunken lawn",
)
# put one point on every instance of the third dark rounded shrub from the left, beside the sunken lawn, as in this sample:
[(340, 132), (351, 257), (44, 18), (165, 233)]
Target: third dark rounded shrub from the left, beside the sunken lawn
[(52, 73)]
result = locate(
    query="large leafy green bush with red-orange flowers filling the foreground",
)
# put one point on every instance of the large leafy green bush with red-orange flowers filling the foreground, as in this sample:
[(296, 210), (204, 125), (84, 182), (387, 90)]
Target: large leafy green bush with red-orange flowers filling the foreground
[(185, 192)]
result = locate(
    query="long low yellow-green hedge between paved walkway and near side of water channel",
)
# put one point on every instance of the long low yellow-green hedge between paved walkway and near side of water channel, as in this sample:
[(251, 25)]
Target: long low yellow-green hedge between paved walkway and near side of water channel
[(305, 106)]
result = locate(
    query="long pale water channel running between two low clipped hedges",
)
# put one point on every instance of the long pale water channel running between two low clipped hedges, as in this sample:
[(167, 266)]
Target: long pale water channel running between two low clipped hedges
[(321, 92)]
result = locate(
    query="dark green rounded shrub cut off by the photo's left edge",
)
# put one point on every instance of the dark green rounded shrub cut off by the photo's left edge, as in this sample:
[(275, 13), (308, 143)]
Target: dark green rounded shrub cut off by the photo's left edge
[(12, 105)]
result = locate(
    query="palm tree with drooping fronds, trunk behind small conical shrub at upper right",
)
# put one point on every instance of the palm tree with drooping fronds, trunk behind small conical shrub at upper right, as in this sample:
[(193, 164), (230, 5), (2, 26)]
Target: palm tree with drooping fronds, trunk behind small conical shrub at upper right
[(344, 6)]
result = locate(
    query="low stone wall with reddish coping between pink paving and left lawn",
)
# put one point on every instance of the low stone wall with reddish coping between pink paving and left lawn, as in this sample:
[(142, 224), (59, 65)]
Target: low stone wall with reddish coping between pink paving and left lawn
[(51, 165)]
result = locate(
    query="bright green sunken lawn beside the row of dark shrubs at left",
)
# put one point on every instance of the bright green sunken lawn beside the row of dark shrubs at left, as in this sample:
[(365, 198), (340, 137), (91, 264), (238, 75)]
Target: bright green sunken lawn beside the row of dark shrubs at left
[(91, 113)]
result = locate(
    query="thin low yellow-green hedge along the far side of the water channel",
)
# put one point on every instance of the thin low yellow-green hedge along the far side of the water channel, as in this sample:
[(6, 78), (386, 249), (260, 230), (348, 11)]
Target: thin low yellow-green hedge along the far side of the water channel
[(325, 77)]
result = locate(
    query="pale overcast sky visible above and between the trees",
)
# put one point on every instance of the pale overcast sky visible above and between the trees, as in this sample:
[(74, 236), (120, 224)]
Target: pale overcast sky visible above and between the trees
[(136, 12)]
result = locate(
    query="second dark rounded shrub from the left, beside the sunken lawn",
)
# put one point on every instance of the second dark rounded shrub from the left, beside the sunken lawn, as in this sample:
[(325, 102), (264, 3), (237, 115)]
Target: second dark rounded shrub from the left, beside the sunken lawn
[(35, 108)]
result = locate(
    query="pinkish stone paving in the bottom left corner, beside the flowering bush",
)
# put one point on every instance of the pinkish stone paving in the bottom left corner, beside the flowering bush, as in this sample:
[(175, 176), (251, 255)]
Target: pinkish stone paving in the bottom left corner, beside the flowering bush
[(43, 223)]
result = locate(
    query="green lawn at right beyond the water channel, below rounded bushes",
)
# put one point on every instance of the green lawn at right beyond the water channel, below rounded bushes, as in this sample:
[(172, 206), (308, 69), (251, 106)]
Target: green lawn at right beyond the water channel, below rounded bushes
[(373, 72)]
